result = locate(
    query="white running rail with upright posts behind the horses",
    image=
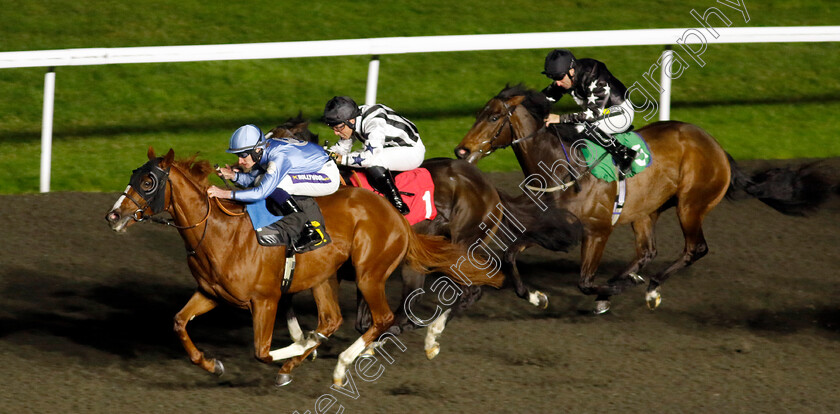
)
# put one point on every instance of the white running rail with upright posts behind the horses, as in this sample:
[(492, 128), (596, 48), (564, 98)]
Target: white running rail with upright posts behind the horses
[(690, 42)]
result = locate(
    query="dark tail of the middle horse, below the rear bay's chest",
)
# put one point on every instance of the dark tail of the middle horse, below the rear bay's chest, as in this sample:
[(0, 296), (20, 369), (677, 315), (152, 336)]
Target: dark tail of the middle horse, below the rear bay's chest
[(554, 228)]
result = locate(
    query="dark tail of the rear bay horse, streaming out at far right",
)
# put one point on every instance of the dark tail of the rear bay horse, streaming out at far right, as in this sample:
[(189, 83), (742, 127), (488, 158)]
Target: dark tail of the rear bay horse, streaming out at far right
[(791, 192)]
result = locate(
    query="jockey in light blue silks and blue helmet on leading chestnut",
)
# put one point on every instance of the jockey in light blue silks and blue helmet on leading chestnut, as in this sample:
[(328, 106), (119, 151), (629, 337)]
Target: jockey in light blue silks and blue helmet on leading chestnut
[(274, 170)]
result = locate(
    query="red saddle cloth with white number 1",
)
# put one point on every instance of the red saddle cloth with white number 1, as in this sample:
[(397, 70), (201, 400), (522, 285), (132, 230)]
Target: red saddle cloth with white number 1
[(418, 182)]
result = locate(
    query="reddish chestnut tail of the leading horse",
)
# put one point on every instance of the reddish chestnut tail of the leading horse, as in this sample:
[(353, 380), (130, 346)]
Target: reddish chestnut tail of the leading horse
[(427, 254)]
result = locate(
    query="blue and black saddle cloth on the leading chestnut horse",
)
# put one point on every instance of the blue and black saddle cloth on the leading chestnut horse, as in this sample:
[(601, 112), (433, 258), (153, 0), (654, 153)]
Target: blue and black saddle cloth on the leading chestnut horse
[(271, 231)]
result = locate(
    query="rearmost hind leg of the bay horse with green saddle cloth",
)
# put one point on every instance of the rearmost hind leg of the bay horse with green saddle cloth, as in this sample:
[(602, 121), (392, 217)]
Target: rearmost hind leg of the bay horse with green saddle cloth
[(691, 220)]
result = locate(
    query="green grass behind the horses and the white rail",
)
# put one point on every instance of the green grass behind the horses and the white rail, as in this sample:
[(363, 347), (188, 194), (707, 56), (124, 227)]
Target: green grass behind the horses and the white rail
[(759, 100)]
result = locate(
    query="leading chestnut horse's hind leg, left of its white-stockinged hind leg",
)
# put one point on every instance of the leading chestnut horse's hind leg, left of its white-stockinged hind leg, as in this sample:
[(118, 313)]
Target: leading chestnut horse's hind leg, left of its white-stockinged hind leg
[(329, 320)]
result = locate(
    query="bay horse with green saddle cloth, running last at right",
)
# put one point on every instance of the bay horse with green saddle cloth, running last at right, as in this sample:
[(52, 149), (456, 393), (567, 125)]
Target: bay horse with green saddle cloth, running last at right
[(690, 170)]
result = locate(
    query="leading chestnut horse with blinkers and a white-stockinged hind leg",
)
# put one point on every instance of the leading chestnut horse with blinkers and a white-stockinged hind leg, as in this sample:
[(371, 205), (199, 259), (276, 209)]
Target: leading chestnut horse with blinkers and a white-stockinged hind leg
[(229, 265)]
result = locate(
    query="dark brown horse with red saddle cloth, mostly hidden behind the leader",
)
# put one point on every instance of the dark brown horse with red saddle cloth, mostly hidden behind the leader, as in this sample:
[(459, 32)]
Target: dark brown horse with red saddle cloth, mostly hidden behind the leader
[(470, 210)]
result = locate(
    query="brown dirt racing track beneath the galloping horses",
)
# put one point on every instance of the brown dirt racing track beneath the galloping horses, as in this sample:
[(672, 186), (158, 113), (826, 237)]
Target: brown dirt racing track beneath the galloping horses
[(754, 327)]
